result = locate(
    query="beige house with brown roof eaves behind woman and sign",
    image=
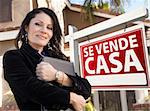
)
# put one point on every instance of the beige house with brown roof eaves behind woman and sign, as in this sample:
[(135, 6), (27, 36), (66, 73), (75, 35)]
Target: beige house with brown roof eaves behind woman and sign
[(72, 13)]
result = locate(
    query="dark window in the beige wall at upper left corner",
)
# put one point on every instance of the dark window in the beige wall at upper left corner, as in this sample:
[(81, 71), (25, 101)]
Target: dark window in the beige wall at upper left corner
[(5, 10)]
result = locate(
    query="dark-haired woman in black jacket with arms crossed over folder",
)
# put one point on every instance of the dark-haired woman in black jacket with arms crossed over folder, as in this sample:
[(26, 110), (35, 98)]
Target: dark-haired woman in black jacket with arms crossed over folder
[(36, 84)]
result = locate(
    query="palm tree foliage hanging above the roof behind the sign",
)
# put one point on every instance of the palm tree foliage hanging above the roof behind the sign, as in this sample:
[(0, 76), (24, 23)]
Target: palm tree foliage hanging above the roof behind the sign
[(116, 6)]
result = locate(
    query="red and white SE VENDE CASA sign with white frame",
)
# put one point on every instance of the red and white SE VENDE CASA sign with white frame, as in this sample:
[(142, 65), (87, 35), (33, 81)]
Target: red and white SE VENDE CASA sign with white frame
[(119, 59)]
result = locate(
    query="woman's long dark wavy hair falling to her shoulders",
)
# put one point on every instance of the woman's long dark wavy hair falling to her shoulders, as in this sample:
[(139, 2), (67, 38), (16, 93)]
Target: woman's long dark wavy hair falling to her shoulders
[(54, 42)]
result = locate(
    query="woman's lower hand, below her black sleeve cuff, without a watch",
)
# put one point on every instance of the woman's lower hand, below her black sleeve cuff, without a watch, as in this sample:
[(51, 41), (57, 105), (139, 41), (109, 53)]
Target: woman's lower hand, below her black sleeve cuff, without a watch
[(77, 101)]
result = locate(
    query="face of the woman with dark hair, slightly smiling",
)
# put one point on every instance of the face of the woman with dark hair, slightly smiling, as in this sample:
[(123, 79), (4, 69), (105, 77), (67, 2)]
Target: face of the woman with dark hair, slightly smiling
[(40, 31)]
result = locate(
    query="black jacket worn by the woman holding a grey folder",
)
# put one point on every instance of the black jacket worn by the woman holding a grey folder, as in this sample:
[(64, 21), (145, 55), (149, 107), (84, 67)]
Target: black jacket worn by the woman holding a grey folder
[(30, 93)]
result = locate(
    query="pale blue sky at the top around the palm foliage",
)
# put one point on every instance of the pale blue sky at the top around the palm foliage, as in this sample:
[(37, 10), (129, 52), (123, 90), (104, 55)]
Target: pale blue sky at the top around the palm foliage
[(128, 7)]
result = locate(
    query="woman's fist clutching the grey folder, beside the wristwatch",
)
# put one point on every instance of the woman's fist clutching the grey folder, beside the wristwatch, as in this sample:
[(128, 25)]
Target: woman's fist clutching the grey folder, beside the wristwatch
[(45, 71)]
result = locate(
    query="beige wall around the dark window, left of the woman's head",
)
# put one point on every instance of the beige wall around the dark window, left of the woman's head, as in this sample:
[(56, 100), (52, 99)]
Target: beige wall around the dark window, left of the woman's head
[(19, 10)]
